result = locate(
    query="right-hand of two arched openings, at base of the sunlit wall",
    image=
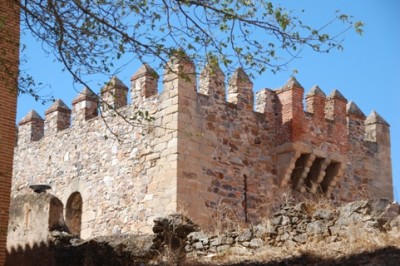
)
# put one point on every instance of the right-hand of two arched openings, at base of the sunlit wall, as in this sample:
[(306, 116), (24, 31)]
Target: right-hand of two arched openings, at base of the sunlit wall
[(73, 213)]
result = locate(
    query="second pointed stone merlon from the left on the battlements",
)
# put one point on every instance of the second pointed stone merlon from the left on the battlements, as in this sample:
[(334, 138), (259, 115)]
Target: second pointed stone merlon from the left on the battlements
[(57, 118)]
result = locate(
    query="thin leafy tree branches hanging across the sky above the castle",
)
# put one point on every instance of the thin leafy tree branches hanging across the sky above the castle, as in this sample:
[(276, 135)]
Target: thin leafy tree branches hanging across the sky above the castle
[(88, 36)]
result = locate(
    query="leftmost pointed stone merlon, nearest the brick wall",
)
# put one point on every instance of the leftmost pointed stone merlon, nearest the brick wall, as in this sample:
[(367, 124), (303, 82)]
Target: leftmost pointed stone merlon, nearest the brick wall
[(31, 128)]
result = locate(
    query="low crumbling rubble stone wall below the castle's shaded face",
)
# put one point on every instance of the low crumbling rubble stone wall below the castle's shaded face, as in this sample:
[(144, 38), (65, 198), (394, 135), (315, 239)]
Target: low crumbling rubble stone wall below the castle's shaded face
[(294, 225)]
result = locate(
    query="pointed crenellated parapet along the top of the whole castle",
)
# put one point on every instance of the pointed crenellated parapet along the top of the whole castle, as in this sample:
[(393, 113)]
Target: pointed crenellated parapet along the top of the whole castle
[(321, 123)]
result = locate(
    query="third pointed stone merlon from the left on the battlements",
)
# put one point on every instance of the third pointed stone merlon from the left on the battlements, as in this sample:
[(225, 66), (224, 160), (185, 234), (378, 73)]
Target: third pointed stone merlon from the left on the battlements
[(84, 107)]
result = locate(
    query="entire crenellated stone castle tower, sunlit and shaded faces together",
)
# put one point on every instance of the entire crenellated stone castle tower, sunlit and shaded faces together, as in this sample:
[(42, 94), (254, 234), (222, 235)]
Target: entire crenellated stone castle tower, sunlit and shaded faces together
[(209, 152)]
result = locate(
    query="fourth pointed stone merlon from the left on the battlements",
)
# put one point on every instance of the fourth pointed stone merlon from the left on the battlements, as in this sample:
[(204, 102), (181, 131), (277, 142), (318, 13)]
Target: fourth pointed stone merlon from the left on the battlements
[(113, 94)]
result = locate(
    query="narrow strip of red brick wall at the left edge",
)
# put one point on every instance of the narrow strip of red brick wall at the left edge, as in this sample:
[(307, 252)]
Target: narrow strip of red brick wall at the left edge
[(9, 56)]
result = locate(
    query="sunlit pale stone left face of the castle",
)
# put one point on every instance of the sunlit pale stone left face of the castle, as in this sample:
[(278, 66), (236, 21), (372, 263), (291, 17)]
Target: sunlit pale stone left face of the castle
[(125, 180)]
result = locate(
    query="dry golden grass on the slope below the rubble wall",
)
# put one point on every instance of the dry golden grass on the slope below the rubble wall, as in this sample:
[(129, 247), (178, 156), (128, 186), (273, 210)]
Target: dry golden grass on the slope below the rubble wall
[(357, 240)]
